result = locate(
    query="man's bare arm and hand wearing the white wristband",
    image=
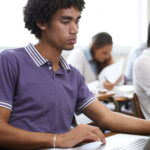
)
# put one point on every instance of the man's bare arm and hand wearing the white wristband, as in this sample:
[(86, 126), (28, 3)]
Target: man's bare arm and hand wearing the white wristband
[(15, 138)]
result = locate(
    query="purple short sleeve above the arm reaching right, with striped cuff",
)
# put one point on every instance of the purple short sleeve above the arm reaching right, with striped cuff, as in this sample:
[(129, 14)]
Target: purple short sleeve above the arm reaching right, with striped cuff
[(84, 97)]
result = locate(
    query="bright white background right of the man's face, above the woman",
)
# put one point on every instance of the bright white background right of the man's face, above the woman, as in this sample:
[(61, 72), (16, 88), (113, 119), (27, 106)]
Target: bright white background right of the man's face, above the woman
[(125, 20)]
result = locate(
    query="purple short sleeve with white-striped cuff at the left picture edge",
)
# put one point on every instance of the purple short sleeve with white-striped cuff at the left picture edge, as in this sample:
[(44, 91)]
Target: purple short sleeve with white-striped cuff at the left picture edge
[(7, 81)]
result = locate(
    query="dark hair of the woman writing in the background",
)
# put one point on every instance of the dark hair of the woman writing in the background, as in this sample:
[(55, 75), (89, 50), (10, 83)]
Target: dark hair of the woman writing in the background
[(98, 41)]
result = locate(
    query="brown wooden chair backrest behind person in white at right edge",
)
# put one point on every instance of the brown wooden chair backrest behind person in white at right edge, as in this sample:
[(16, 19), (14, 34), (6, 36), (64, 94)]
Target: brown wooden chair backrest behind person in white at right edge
[(137, 109)]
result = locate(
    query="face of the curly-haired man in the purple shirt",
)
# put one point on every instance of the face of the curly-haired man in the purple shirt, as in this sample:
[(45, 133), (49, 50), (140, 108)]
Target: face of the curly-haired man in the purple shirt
[(62, 31)]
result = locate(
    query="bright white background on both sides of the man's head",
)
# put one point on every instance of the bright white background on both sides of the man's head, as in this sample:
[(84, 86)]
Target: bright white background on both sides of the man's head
[(123, 19)]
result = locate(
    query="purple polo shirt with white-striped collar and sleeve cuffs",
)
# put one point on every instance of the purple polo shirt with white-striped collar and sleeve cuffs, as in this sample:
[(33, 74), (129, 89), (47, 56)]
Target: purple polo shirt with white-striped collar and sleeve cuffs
[(40, 99)]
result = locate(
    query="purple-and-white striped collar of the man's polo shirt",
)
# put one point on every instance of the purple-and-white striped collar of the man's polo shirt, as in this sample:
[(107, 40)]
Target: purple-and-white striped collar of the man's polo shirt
[(40, 60)]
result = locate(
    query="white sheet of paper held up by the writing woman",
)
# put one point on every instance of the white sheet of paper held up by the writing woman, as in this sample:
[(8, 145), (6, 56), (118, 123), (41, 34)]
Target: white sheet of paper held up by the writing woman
[(114, 71)]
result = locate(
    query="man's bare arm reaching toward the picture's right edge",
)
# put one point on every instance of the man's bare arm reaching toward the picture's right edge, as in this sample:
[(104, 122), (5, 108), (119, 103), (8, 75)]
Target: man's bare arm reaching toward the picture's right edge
[(116, 121)]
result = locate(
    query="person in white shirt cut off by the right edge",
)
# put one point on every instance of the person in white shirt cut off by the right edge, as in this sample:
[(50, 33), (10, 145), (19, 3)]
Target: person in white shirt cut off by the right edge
[(141, 79)]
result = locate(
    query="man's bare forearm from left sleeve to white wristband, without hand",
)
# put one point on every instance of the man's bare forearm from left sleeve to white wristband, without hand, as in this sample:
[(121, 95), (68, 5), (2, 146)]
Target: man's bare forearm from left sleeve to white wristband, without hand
[(14, 138)]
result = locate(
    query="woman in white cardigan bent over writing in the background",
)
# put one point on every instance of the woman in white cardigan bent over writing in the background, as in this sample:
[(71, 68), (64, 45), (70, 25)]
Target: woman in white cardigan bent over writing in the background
[(90, 61)]
